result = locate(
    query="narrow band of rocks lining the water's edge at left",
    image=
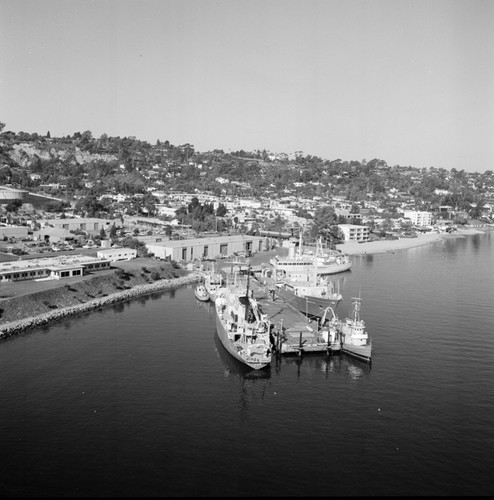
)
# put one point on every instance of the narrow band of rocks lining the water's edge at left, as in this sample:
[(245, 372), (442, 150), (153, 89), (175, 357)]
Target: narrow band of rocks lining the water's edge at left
[(19, 326)]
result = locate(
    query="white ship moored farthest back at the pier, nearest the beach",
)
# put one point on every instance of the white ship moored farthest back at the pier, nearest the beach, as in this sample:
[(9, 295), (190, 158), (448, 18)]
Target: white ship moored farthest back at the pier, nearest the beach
[(328, 261)]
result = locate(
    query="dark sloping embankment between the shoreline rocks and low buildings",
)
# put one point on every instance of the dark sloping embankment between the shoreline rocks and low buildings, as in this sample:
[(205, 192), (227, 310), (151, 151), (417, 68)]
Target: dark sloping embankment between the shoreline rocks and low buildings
[(17, 302)]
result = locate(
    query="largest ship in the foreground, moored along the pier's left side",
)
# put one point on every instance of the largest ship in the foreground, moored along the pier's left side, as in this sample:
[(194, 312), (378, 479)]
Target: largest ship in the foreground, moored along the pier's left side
[(241, 326)]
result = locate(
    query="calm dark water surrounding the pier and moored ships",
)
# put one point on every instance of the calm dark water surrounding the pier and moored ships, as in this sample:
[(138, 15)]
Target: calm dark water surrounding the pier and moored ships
[(141, 399)]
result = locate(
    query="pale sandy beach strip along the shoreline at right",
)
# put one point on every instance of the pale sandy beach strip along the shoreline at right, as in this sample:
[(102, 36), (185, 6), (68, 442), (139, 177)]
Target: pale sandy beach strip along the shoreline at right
[(381, 246)]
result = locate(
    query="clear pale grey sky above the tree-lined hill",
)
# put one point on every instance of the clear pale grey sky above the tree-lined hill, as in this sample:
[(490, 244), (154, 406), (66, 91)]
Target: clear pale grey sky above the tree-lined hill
[(410, 82)]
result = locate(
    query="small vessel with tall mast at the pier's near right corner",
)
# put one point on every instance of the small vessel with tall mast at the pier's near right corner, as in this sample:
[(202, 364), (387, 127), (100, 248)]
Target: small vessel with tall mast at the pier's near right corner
[(354, 338)]
